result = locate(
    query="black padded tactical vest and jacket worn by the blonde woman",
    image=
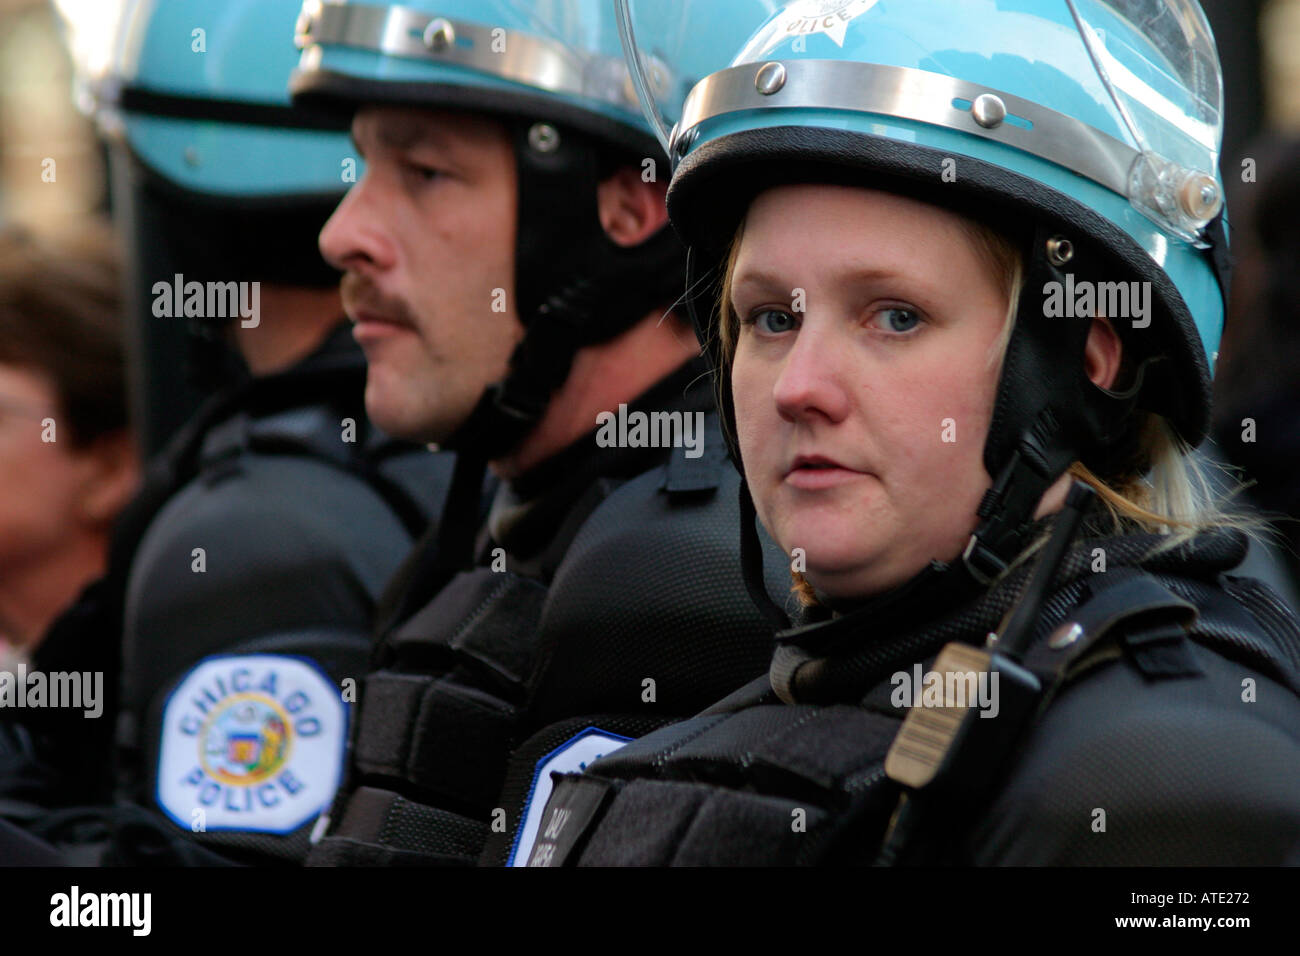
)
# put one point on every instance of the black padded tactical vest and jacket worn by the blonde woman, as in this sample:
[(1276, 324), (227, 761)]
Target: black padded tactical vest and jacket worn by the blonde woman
[(1168, 736)]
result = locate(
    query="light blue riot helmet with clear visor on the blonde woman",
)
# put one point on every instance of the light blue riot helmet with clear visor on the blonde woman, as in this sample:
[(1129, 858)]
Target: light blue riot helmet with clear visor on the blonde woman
[(1091, 128)]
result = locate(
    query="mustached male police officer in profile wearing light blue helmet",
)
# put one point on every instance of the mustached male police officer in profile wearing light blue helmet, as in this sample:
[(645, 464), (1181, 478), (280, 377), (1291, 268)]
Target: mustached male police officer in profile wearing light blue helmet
[(512, 276)]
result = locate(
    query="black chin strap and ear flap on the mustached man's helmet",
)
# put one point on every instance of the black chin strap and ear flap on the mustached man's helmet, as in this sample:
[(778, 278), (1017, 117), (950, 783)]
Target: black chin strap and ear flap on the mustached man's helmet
[(575, 288)]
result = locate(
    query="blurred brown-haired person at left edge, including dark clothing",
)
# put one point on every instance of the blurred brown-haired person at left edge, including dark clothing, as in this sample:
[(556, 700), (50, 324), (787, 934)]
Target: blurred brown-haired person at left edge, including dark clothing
[(68, 468)]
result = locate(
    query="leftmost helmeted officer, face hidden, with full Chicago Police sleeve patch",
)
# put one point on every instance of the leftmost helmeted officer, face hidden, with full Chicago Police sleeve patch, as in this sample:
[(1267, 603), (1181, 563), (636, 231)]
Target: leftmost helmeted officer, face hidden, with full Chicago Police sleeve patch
[(245, 576)]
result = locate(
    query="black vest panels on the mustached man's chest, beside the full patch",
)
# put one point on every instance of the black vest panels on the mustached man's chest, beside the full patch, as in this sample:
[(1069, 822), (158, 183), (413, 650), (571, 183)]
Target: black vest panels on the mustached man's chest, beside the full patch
[(449, 729)]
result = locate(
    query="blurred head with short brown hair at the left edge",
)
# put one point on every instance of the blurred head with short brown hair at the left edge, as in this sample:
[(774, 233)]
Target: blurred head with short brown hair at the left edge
[(68, 461)]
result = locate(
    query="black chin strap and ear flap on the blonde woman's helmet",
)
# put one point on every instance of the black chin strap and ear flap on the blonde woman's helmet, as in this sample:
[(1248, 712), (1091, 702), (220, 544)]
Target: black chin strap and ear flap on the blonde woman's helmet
[(1047, 416)]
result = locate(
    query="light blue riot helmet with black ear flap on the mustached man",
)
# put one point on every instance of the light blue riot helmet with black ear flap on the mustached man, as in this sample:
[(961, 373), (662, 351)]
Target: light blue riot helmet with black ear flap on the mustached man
[(553, 72)]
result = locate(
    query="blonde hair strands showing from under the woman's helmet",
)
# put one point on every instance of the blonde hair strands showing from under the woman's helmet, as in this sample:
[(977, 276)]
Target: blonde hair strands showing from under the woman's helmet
[(1165, 490)]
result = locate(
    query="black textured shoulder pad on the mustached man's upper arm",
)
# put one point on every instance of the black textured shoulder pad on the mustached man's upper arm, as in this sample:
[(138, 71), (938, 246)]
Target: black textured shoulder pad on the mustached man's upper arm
[(649, 609)]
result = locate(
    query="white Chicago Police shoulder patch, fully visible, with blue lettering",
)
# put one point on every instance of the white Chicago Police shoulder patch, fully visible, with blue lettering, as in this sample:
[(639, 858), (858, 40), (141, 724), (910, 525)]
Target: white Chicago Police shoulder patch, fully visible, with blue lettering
[(254, 742)]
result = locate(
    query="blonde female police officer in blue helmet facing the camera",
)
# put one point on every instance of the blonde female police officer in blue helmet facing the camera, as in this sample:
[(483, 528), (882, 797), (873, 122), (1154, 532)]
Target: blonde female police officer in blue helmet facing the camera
[(961, 269)]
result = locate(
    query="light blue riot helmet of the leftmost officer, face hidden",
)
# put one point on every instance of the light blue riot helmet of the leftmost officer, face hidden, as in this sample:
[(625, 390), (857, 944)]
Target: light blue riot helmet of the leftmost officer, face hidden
[(218, 178)]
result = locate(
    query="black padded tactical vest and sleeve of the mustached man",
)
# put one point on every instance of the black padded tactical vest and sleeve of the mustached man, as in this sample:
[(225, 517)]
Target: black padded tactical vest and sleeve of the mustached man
[(629, 615)]
